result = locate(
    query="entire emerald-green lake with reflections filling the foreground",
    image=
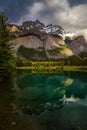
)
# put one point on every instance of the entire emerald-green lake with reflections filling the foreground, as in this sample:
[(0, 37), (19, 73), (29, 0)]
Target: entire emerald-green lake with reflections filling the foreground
[(44, 102)]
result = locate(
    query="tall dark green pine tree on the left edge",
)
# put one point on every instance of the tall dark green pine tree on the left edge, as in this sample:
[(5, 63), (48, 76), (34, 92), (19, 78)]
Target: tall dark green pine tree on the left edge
[(7, 60)]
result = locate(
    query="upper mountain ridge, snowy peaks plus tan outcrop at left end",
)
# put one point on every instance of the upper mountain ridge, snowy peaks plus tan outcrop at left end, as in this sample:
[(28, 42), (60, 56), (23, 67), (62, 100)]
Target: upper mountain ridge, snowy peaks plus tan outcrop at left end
[(35, 27)]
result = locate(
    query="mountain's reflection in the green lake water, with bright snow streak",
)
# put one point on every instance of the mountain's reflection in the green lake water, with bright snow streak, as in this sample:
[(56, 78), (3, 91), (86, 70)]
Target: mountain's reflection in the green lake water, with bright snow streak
[(36, 93)]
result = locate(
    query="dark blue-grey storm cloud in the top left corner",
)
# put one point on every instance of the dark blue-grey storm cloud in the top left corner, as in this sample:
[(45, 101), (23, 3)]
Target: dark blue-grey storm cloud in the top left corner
[(15, 8)]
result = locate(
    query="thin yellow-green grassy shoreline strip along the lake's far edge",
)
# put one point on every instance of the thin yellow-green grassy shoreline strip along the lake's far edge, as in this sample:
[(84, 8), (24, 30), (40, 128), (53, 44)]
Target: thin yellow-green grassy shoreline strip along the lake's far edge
[(53, 68)]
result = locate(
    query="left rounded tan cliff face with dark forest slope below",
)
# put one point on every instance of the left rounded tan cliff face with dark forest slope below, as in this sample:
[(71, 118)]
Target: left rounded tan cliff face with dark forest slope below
[(29, 47)]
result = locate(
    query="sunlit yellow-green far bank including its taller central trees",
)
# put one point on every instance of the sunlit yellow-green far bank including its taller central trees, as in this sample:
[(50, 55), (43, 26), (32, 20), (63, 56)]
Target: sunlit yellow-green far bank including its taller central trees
[(51, 67)]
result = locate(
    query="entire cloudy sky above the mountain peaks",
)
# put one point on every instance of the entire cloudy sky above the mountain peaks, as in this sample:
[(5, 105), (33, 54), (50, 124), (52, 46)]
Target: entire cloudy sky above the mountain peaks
[(70, 14)]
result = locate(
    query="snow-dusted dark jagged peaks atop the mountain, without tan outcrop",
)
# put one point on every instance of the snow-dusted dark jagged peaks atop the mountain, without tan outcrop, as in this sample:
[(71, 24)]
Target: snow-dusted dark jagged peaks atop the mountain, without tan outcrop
[(49, 29)]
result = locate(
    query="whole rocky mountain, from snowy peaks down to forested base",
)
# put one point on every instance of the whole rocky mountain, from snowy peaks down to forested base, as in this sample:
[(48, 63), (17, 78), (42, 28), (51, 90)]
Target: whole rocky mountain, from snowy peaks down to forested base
[(35, 41)]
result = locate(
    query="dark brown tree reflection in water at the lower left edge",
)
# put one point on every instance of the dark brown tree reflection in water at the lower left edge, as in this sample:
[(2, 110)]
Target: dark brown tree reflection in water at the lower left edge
[(7, 105)]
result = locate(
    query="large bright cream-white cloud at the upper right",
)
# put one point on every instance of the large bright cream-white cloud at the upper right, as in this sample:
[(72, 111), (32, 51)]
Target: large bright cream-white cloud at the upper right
[(70, 18)]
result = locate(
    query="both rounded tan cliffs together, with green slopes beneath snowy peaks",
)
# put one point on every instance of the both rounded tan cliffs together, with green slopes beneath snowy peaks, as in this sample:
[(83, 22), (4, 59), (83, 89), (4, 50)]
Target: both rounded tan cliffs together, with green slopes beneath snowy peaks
[(49, 48)]
